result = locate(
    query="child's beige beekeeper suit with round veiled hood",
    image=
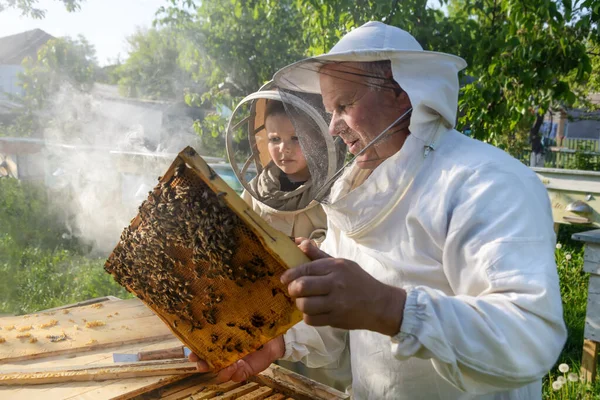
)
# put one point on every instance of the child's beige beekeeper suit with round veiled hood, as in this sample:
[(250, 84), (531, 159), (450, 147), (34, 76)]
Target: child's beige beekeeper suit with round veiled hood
[(292, 210)]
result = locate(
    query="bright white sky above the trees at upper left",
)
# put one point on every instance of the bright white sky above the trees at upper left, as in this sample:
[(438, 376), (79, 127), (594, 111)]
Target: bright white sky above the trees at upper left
[(104, 23)]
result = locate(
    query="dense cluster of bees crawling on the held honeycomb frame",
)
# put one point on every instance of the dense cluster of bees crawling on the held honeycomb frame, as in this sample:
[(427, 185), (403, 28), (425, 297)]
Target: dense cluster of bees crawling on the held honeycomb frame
[(177, 217)]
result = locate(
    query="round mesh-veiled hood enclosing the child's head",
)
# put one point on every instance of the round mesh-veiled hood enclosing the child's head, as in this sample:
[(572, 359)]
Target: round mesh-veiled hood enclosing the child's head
[(292, 159)]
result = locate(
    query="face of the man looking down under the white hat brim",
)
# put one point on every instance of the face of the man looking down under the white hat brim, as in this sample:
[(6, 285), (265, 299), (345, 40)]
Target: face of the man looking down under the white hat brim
[(361, 112)]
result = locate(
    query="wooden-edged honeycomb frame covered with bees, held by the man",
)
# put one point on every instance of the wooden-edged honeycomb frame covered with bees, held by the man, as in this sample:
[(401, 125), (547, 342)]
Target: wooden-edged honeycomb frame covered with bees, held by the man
[(207, 264)]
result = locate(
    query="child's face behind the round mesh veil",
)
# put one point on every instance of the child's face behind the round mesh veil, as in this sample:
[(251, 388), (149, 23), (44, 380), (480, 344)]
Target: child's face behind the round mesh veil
[(284, 147)]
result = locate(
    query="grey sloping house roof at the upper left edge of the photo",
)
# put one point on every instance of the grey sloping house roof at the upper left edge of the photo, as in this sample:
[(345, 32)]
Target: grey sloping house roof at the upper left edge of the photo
[(15, 48)]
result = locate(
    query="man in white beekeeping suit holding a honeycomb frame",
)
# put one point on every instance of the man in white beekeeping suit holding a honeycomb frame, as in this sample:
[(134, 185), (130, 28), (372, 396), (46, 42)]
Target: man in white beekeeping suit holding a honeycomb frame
[(439, 256)]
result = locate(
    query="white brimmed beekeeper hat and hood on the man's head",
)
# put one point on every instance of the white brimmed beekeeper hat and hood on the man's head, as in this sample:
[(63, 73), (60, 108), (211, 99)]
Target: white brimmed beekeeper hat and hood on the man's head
[(430, 79)]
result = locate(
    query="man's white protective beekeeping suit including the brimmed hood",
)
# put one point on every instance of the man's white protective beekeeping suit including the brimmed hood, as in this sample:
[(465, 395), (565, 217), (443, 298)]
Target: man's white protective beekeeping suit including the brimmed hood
[(463, 227)]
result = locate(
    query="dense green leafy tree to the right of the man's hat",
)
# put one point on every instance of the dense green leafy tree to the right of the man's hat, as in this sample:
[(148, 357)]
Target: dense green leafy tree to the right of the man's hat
[(531, 57)]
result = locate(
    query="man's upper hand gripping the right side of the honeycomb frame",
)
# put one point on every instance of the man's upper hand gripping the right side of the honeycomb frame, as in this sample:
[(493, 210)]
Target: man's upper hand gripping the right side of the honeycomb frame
[(339, 293)]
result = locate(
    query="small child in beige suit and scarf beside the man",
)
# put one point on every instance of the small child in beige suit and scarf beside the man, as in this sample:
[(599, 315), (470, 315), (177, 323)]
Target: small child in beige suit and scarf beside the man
[(283, 192)]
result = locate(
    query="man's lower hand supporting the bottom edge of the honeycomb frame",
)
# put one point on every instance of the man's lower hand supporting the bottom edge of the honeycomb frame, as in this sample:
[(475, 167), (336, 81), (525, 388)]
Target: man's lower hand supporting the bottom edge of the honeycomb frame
[(248, 366)]
